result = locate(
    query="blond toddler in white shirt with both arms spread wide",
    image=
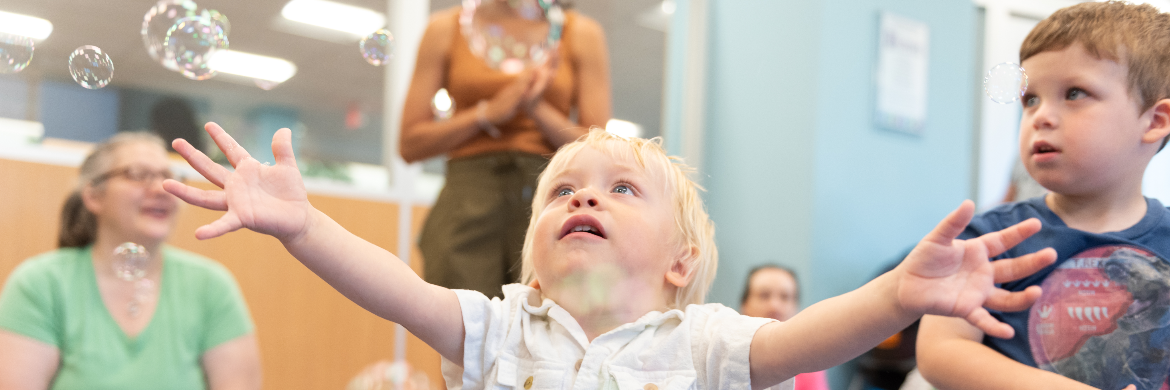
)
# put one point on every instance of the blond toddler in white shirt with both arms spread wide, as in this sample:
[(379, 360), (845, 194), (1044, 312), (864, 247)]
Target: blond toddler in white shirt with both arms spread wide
[(617, 262)]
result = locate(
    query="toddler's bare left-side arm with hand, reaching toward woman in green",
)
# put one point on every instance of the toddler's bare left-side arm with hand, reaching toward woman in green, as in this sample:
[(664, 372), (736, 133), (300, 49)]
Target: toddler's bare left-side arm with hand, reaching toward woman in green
[(273, 201)]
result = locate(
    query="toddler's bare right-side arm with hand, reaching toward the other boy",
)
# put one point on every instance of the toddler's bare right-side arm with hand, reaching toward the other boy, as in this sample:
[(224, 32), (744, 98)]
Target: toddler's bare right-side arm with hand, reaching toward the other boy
[(942, 276)]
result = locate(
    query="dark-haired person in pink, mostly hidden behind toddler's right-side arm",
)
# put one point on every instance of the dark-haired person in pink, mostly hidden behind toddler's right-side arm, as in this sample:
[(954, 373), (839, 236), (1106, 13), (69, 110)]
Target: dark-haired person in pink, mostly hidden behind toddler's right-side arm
[(773, 293)]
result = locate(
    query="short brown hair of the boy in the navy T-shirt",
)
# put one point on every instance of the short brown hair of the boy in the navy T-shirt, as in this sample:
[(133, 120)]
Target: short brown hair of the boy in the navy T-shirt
[(1134, 36)]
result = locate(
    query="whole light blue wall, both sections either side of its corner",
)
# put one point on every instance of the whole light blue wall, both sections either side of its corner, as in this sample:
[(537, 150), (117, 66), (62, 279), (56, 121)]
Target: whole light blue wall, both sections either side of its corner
[(796, 169)]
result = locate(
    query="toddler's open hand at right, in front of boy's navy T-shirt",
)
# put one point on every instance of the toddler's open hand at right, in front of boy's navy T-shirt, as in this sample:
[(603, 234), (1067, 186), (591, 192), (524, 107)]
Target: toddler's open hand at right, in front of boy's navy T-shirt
[(948, 277)]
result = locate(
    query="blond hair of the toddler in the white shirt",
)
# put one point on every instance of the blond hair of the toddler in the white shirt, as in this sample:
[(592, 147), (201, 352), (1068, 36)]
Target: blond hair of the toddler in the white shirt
[(694, 228)]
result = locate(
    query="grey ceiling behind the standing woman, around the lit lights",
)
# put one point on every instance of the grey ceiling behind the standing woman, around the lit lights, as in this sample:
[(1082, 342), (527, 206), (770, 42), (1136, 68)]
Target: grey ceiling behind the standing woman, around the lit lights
[(331, 76)]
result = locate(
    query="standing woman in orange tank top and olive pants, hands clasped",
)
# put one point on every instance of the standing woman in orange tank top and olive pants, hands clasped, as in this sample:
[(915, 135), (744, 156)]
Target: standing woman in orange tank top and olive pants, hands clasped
[(498, 141)]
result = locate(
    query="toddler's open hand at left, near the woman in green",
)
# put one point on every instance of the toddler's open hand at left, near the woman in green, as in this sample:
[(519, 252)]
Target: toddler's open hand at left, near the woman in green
[(263, 199)]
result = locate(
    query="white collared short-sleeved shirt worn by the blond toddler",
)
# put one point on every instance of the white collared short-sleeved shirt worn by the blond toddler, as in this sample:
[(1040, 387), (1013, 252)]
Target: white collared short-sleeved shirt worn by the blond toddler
[(512, 345)]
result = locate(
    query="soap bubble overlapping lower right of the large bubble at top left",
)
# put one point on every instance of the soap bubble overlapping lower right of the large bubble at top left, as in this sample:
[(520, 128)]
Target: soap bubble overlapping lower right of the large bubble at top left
[(191, 43)]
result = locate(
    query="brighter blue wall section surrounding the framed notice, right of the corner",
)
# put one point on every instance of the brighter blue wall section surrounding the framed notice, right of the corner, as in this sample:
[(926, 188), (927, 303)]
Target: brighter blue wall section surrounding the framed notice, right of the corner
[(878, 191)]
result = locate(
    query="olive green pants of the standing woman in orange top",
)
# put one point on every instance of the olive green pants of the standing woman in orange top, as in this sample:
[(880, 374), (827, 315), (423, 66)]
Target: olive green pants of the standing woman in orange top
[(476, 231)]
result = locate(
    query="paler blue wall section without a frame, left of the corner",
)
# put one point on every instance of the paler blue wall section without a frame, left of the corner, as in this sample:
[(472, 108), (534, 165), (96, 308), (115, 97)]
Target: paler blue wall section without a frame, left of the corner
[(761, 121)]
